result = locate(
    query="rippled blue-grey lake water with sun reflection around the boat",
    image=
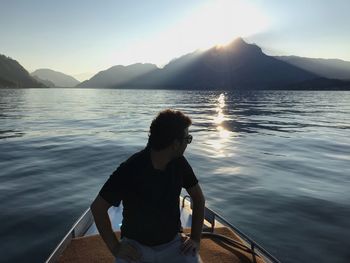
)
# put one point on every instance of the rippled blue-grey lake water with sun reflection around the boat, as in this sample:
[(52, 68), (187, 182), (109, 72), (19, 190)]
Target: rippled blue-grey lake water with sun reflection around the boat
[(274, 163)]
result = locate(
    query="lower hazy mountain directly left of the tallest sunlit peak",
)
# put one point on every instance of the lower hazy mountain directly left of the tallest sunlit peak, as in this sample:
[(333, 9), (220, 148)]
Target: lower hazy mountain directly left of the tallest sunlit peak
[(117, 75)]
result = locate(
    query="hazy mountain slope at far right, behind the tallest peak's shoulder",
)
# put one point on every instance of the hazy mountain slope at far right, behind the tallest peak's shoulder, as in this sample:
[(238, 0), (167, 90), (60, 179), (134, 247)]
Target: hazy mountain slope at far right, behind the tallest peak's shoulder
[(329, 68)]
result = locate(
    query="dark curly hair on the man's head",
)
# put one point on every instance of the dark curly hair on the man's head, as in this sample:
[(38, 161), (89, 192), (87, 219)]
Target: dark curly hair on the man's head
[(168, 126)]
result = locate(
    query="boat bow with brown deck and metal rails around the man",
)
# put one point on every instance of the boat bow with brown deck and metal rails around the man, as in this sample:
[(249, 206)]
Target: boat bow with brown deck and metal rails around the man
[(220, 242)]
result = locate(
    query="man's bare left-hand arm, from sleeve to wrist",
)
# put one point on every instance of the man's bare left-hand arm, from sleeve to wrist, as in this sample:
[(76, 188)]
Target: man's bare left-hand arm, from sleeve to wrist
[(99, 209)]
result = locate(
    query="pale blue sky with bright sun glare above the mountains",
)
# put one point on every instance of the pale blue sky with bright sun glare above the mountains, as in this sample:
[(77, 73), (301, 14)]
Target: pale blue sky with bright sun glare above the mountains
[(80, 38)]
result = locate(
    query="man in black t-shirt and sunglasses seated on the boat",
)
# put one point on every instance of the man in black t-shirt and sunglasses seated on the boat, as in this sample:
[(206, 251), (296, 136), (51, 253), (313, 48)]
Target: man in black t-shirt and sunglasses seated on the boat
[(149, 183)]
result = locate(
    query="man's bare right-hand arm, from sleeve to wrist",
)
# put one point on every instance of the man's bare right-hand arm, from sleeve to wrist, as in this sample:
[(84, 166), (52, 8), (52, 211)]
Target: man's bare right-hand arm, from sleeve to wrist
[(198, 212)]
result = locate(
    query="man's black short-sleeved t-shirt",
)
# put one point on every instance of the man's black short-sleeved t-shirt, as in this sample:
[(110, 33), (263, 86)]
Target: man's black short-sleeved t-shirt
[(151, 213)]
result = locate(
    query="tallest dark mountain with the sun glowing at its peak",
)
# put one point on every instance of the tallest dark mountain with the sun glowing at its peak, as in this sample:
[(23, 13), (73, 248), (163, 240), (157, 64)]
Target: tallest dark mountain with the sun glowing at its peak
[(236, 66)]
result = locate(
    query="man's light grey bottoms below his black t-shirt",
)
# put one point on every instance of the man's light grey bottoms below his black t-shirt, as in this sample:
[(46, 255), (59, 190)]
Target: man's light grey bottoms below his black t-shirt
[(166, 253)]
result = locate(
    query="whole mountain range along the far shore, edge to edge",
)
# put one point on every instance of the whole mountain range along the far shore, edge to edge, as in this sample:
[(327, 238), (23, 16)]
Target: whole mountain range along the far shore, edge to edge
[(238, 65)]
